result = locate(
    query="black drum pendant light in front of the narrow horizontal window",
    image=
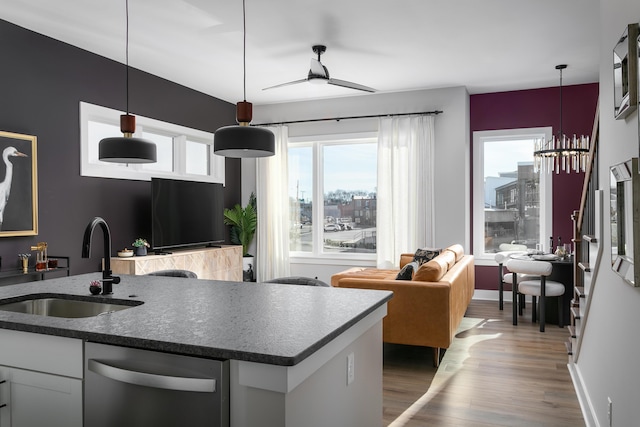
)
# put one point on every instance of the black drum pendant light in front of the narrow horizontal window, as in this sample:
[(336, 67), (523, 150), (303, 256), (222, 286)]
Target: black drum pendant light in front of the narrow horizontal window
[(127, 149)]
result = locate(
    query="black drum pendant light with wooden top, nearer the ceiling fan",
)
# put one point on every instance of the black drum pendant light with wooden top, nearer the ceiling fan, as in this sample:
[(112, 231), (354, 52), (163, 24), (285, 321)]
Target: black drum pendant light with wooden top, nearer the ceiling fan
[(243, 140)]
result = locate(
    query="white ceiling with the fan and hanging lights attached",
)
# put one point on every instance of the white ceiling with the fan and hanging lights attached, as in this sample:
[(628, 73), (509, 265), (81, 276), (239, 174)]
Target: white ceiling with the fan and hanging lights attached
[(399, 45)]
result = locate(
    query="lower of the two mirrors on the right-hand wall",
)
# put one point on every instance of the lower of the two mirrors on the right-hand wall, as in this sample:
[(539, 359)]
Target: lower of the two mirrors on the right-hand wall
[(625, 220)]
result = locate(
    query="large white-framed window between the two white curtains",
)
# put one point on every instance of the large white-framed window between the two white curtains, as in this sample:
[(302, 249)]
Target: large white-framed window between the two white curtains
[(340, 173)]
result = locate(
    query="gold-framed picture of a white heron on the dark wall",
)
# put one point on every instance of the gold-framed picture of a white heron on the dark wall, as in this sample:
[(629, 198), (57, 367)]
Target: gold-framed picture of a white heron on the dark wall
[(18, 185)]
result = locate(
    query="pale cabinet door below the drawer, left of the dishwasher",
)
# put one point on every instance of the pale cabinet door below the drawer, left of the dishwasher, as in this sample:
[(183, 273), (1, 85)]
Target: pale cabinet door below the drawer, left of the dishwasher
[(37, 399)]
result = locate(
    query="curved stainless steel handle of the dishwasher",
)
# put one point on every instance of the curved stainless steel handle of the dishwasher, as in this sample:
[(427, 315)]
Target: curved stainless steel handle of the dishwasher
[(205, 385)]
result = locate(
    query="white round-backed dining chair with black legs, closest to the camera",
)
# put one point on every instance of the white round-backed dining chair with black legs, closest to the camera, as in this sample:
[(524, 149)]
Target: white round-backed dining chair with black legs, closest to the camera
[(540, 287)]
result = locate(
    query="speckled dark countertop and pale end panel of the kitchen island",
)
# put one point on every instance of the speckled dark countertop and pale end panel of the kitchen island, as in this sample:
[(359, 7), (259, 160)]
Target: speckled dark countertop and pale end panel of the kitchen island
[(298, 355)]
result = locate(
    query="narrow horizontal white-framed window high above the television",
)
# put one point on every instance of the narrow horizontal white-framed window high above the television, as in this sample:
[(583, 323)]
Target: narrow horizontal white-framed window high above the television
[(183, 153)]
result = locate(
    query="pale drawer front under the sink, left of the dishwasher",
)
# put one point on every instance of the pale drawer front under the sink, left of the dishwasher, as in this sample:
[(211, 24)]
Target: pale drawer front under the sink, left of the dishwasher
[(45, 353)]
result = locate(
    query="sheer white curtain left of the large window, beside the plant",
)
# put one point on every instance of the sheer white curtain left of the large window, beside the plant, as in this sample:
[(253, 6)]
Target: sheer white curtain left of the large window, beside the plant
[(272, 196)]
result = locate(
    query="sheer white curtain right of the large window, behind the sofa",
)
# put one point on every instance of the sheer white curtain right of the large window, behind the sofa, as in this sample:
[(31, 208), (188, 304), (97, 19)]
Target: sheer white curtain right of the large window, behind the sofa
[(405, 187)]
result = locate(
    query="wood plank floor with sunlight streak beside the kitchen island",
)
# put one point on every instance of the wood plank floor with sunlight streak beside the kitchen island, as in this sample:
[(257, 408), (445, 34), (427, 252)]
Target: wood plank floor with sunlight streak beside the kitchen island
[(495, 374)]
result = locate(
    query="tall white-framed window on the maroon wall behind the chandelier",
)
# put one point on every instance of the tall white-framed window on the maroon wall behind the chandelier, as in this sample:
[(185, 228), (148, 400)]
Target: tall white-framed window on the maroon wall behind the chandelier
[(512, 202)]
